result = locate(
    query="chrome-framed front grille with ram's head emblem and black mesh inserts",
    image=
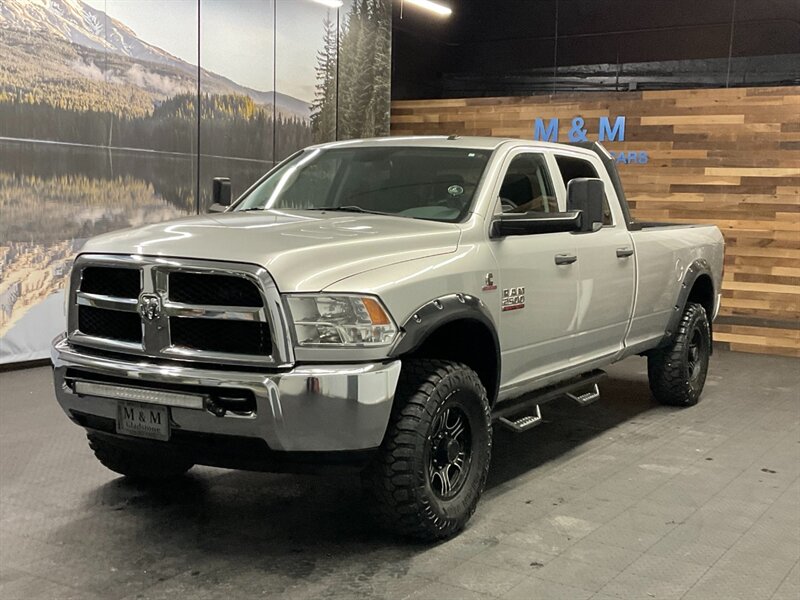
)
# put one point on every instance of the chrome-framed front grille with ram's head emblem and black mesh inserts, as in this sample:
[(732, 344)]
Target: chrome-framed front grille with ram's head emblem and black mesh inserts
[(176, 309)]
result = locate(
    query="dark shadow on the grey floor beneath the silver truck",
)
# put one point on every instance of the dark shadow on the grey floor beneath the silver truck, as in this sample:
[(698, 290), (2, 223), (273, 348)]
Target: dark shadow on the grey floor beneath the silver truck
[(226, 524)]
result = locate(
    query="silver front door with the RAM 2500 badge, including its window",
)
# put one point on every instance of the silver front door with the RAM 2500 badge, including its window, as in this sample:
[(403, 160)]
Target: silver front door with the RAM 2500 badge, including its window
[(538, 296)]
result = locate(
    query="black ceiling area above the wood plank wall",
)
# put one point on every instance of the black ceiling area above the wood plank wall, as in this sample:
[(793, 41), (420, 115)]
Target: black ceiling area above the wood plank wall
[(496, 42)]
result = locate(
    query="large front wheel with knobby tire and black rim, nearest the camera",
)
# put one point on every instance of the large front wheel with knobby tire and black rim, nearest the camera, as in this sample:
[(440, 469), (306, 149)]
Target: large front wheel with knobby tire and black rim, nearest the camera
[(432, 466)]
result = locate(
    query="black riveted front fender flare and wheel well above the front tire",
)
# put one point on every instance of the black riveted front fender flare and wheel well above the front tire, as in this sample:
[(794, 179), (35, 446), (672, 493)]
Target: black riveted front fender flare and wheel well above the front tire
[(454, 327)]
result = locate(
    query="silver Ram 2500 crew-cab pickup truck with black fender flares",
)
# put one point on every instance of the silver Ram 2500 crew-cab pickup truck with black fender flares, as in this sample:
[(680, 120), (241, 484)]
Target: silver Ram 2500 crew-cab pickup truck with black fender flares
[(380, 305)]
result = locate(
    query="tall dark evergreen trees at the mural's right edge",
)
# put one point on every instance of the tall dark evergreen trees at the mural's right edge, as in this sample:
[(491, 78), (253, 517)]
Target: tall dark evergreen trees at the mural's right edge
[(364, 67)]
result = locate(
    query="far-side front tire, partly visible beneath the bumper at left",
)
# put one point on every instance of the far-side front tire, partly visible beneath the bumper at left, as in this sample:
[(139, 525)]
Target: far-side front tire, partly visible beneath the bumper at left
[(139, 464)]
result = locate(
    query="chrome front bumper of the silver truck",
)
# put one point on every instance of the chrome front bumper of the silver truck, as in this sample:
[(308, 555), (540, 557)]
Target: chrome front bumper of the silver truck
[(307, 409)]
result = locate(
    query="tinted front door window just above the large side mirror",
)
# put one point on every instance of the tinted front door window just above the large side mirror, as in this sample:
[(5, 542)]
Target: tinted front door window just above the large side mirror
[(527, 186)]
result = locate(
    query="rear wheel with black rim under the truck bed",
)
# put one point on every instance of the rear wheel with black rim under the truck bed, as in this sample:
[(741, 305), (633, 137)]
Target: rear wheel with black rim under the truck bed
[(677, 373)]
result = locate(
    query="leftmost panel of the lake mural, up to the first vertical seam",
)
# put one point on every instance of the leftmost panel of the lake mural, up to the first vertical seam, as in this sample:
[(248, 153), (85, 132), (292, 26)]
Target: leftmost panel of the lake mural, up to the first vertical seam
[(119, 96)]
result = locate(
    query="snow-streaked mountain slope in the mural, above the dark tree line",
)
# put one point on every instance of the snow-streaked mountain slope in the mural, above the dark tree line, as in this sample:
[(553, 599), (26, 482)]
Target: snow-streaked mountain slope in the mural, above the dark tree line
[(73, 42)]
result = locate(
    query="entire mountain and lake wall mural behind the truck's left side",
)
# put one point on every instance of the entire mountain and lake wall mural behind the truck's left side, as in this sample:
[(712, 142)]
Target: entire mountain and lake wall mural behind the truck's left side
[(102, 129)]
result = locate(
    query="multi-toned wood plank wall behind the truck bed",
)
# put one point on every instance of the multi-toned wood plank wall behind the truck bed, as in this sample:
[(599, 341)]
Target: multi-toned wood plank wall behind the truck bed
[(725, 156)]
